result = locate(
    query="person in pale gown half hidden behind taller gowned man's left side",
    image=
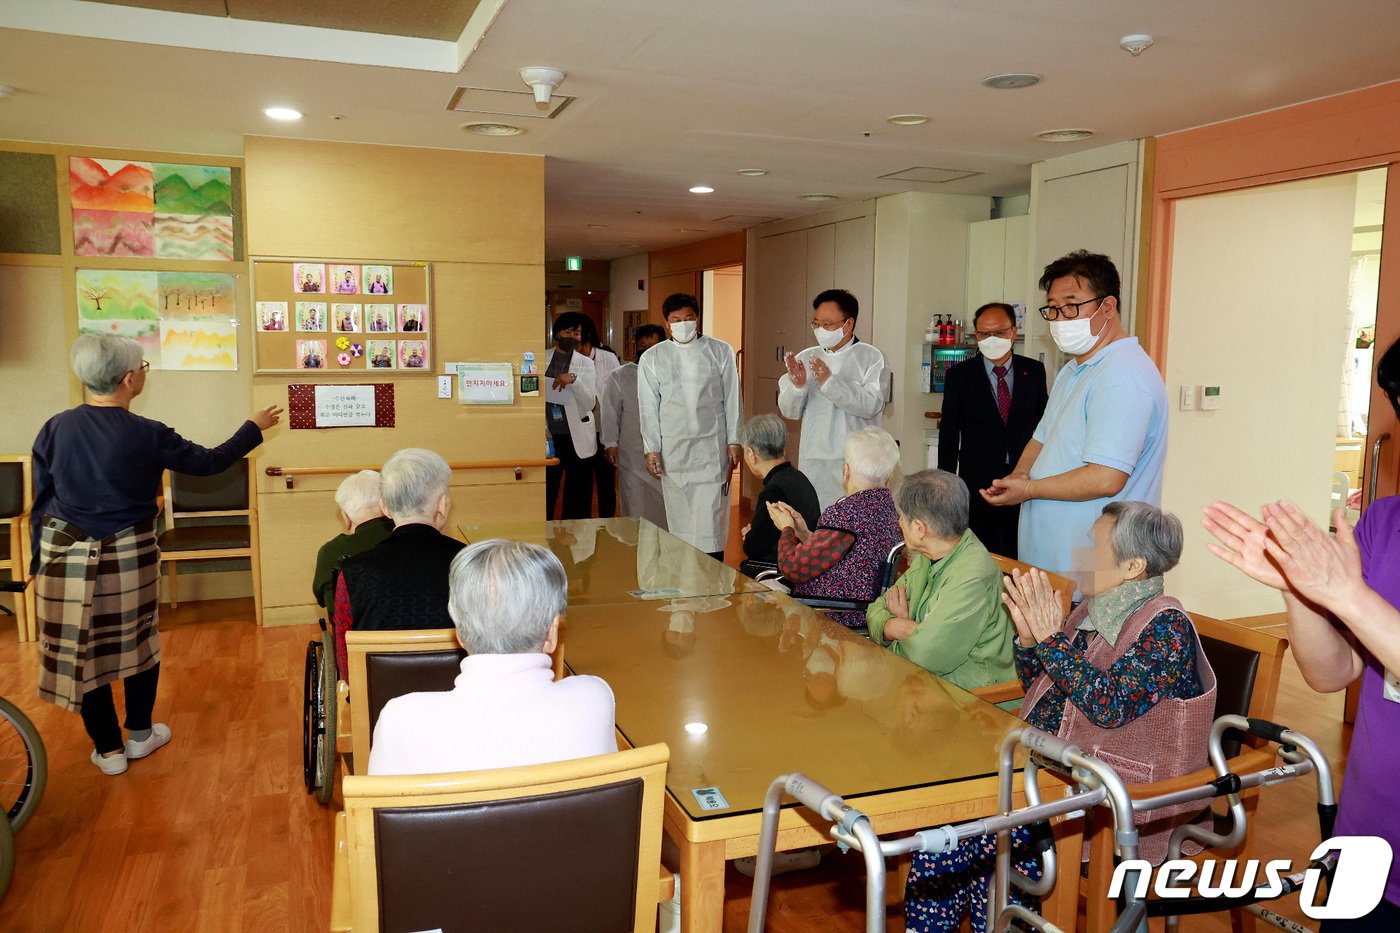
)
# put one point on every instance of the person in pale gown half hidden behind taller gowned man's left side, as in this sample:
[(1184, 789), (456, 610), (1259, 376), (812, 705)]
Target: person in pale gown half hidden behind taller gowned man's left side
[(621, 424)]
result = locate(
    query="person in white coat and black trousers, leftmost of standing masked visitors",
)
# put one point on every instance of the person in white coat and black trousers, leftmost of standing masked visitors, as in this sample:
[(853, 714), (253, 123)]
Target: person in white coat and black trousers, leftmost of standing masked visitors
[(569, 418)]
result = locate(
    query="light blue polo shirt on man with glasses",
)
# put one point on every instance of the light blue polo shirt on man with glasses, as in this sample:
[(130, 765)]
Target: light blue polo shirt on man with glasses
[(1109, 410)]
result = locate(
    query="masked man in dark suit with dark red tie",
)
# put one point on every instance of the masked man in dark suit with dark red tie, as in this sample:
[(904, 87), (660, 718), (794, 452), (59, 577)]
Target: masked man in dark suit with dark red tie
[(992, 406)]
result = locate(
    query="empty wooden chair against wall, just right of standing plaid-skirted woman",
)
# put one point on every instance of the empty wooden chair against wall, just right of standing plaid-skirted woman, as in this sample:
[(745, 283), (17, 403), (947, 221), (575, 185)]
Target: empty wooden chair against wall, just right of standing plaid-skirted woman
[(230, 495)]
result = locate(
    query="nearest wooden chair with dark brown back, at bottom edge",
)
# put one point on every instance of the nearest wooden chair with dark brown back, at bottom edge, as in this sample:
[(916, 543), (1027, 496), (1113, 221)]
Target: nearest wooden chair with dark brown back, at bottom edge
[(572, 845)]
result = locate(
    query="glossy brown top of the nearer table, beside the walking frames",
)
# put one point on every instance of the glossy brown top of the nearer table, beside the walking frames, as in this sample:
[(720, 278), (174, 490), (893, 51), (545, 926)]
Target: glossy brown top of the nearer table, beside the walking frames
[(748, 687)]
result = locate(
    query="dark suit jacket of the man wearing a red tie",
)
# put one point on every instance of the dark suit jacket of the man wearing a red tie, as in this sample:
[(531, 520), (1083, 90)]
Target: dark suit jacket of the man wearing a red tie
[(972, 439)]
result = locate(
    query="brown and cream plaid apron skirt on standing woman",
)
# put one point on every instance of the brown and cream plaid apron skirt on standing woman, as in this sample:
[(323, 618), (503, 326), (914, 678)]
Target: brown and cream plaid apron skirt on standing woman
[(97, 607)]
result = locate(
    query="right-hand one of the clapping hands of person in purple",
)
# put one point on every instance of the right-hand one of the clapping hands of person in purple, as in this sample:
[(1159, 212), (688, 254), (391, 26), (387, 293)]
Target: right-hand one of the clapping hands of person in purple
[(1321, 568)]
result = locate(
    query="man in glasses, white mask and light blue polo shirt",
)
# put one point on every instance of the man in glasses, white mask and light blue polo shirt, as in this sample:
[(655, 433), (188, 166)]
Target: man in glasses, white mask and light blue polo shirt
[(1104, 434)]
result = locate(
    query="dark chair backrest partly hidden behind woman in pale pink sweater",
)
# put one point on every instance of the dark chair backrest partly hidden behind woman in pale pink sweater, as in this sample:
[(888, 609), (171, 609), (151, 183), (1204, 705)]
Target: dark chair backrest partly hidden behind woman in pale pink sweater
[(388, 665)]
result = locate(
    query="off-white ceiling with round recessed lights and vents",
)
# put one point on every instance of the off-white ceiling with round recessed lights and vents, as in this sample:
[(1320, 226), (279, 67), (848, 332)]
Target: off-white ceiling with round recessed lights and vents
[(674, 95)]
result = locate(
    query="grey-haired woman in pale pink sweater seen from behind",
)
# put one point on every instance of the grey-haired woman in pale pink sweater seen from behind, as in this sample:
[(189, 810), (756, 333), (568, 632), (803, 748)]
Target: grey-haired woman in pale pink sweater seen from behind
[(506, 710)]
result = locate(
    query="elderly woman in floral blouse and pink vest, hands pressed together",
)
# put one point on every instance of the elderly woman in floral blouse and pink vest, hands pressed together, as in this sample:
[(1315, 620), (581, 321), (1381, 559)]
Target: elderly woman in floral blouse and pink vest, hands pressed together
[(1123, 677)]
